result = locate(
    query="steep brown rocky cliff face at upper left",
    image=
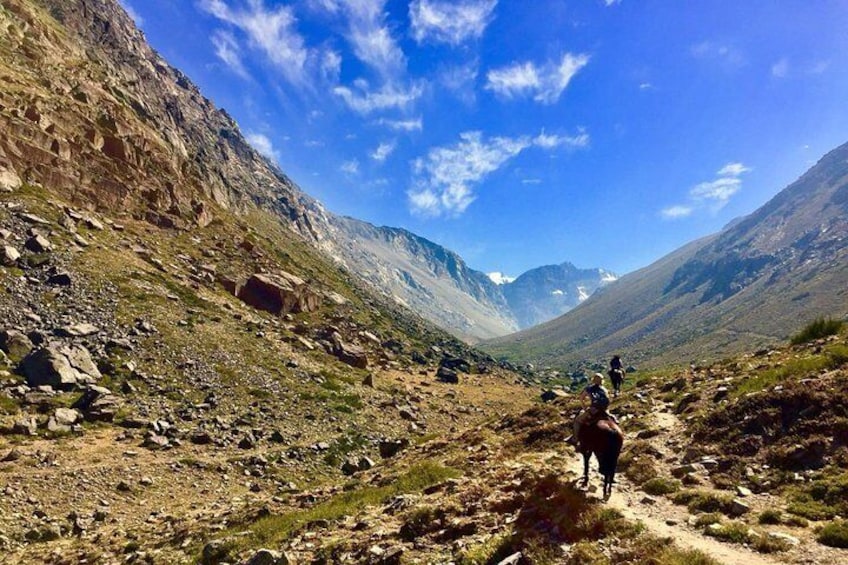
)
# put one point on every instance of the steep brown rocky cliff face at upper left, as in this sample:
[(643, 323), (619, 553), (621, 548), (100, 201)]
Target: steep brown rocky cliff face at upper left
[(82, 87)]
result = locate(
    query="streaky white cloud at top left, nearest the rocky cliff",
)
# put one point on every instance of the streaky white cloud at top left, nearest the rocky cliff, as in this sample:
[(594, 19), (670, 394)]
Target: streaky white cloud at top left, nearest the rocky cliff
[(271, 31)]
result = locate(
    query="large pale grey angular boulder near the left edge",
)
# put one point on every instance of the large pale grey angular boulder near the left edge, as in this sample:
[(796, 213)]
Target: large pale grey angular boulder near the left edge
[(64, 368)]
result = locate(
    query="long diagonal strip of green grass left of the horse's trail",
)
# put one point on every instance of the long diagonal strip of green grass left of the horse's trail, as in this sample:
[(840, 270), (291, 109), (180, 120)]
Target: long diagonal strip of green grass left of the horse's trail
[(274, 530)]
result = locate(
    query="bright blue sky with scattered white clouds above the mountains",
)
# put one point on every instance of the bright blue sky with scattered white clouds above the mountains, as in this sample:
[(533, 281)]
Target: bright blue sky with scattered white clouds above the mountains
[(521, 133)]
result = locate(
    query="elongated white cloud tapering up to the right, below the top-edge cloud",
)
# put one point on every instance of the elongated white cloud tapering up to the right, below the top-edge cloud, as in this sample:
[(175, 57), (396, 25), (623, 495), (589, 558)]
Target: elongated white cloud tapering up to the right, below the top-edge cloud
[(545, 83)]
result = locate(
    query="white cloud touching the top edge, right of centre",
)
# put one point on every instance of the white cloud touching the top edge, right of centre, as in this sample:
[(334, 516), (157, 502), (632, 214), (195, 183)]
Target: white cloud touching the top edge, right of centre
[(450, 22)]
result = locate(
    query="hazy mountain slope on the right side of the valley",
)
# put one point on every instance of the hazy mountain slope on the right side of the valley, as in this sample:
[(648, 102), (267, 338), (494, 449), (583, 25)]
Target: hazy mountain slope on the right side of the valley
[(749, 286)]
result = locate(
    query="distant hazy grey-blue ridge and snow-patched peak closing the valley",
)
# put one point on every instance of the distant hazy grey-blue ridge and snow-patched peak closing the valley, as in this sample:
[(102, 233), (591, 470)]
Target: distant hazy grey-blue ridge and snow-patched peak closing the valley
[(438, 284)]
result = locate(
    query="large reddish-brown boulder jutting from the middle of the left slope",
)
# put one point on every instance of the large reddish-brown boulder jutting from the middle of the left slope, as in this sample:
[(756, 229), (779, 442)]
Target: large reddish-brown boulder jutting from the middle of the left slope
[(281, 293)]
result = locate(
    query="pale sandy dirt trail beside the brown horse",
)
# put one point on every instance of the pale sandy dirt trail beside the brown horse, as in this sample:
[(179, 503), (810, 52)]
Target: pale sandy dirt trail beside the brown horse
[(664, 519)]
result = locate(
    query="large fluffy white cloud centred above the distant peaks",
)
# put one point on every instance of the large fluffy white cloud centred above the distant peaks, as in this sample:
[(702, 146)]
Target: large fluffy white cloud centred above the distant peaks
[(445, 179)]
